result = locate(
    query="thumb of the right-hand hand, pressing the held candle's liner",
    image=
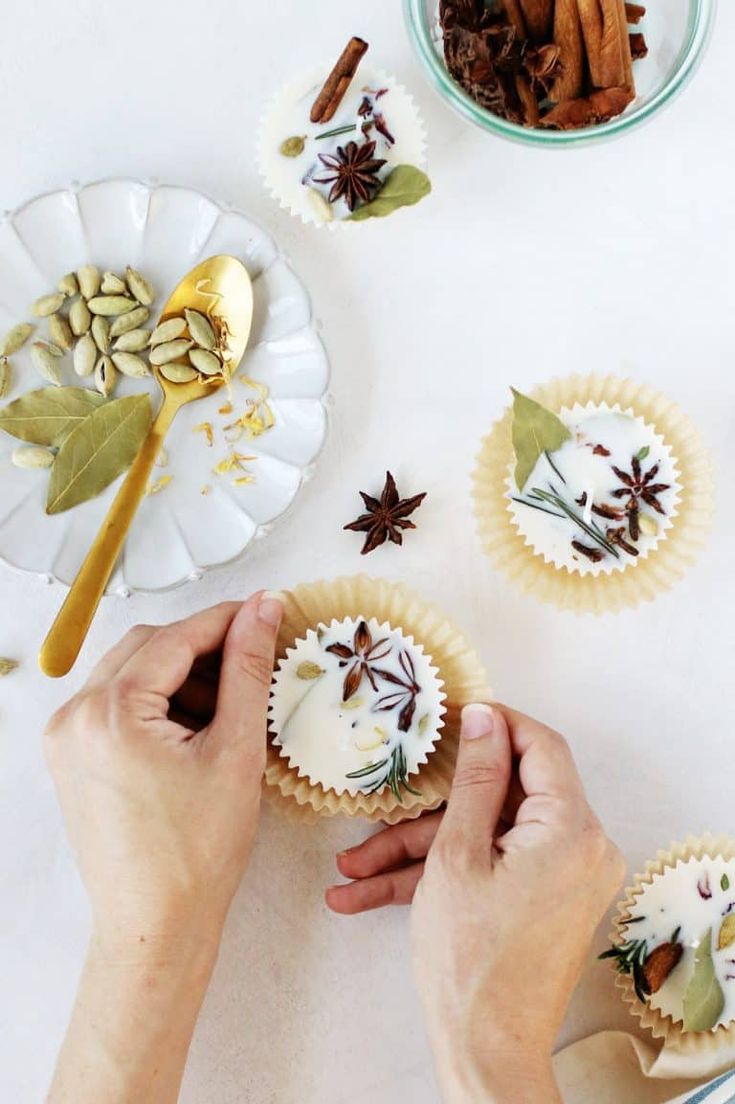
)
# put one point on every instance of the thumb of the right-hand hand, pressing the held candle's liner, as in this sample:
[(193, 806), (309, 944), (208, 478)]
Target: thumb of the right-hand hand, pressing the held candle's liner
[(482, 778)]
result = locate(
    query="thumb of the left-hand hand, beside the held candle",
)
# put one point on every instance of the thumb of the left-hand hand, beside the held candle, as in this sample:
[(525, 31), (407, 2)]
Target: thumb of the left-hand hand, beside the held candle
[(247, 673)]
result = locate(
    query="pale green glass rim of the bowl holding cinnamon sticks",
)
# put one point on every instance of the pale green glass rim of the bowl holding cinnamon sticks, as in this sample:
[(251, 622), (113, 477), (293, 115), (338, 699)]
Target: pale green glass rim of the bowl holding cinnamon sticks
[(700, 27)]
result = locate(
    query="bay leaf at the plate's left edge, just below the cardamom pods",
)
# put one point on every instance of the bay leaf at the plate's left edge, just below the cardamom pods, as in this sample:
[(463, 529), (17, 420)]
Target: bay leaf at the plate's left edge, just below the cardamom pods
[(48, 416)]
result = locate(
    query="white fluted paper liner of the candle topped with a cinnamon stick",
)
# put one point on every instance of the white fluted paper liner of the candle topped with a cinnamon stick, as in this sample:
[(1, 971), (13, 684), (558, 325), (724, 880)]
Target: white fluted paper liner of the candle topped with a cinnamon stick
[(269, 140)]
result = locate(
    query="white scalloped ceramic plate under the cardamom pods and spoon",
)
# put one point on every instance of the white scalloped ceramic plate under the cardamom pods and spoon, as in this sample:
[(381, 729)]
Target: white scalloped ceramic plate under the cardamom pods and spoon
[(179, 534)]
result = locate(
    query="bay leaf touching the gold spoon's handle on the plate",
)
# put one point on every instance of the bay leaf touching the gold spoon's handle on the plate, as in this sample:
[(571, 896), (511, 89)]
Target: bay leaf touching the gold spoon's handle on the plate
[(98, 452)]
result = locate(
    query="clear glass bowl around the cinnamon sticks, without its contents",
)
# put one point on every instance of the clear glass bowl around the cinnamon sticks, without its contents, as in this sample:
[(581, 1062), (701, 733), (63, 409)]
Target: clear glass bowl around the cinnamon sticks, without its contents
[(677, 34)]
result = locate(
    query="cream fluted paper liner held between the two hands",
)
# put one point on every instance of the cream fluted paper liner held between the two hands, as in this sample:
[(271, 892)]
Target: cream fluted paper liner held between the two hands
[(460, 670)]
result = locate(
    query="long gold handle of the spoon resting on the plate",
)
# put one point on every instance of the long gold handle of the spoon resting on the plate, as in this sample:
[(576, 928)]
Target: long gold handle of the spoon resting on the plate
[(69, 631)]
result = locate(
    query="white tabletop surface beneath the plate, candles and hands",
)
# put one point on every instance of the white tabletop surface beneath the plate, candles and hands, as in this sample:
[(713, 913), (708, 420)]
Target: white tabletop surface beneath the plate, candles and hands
[(521, 266)]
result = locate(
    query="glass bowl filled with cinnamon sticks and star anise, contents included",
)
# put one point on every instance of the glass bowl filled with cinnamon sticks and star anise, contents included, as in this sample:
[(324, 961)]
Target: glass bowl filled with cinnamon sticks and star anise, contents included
[(559, 72)]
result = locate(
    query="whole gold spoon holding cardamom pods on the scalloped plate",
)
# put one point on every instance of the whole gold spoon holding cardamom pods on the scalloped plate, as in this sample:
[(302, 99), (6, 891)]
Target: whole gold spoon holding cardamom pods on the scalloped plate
[(223, 285)]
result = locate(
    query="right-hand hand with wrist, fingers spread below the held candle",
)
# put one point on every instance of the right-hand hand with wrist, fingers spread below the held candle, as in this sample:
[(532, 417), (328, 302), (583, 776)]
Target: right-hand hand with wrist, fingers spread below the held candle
[(509, 886)]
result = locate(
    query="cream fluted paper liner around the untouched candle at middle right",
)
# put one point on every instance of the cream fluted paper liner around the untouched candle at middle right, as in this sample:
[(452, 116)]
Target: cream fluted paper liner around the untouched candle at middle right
[(638, 582)]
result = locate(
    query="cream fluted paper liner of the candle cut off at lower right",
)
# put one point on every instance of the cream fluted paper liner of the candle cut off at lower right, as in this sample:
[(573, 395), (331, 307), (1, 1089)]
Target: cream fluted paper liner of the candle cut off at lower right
[(700, 1044)]
